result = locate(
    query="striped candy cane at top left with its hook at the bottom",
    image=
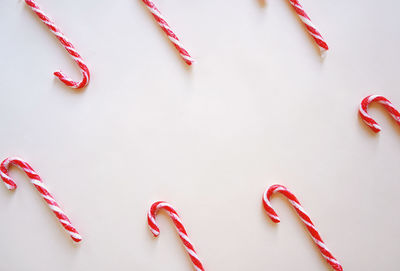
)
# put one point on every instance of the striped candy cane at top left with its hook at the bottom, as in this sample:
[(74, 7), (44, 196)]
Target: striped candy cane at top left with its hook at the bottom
[(67, 45)]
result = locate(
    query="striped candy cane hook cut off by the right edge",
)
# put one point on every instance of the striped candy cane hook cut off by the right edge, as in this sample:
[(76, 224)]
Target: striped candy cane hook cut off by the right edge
[(382, 100)]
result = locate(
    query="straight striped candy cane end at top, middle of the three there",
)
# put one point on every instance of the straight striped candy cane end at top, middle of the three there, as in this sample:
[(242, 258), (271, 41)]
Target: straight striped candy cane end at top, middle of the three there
[(171, 35)]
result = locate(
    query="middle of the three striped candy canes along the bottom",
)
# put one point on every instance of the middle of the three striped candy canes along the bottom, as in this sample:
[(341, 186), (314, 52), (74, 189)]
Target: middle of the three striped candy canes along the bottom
[(151, 219)]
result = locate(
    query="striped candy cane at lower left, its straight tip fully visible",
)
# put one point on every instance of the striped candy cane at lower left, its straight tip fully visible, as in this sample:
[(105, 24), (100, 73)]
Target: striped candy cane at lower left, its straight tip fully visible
[(44, 192)]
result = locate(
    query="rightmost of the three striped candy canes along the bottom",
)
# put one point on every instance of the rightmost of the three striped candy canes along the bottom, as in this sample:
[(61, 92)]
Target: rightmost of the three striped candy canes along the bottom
[(304, 217)]
